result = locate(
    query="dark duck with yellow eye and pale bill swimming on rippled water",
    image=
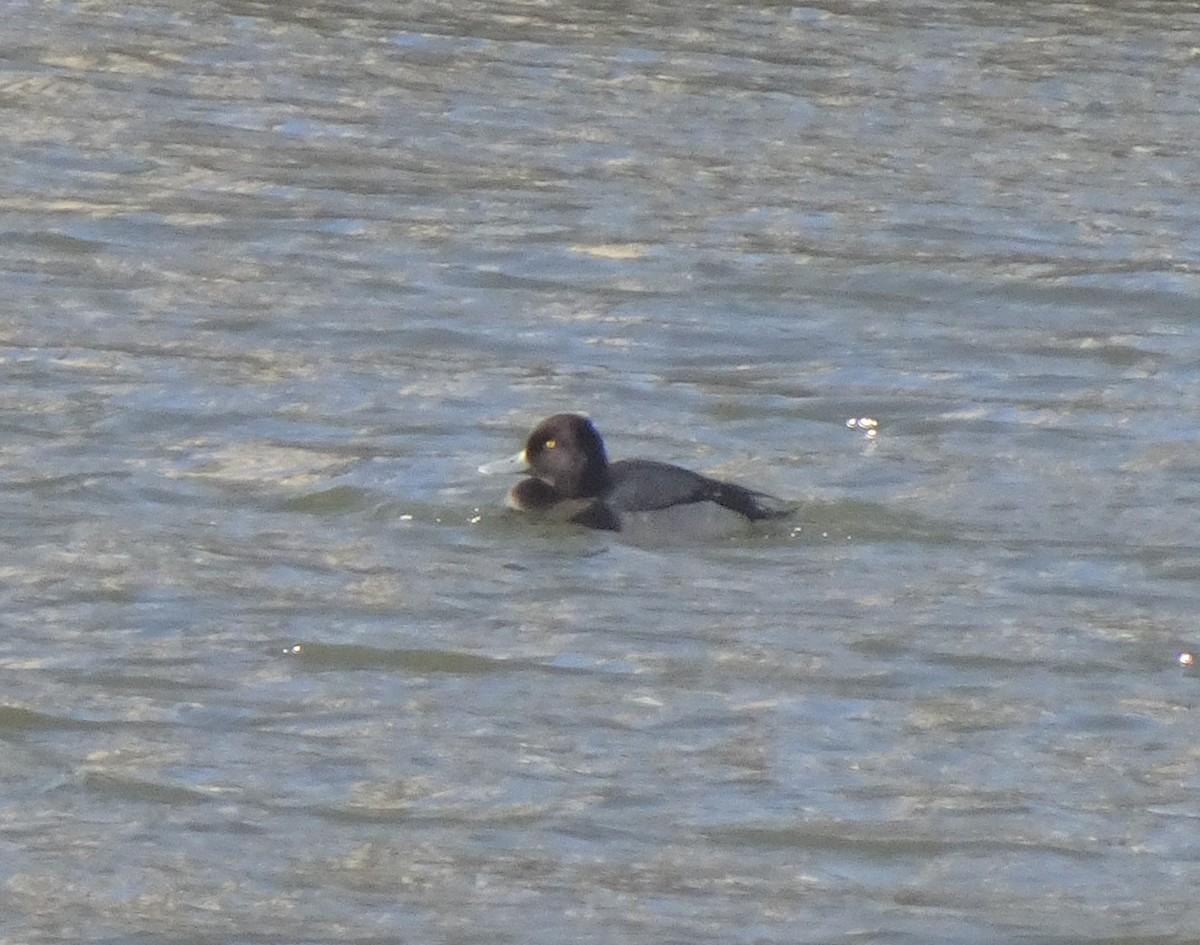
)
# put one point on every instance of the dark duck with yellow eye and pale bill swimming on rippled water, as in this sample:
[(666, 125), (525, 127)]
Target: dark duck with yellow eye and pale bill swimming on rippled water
[(572, 480)]
